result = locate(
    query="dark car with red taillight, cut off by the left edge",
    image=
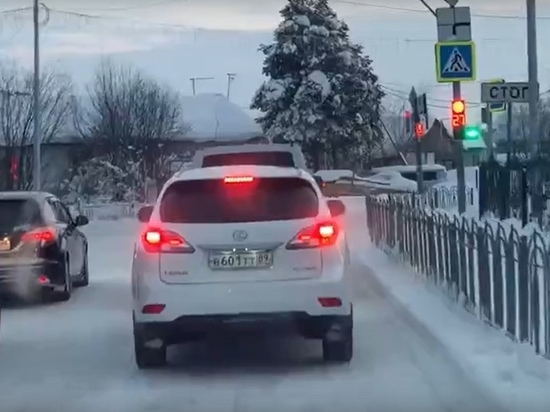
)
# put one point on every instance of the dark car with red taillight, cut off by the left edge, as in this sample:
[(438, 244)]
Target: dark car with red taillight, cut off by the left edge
[(43, 254)]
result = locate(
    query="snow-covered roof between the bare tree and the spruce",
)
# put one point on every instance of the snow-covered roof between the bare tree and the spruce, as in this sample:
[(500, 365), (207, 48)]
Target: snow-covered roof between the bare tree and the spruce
[(213, 117)]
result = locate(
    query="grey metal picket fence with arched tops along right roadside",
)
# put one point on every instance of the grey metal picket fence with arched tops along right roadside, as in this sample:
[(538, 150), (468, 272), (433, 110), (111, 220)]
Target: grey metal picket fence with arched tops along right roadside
[(499, 273)]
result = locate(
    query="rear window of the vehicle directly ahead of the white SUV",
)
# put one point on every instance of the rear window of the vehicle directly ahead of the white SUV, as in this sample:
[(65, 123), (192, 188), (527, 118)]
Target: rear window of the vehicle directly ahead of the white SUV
[(283, 159)]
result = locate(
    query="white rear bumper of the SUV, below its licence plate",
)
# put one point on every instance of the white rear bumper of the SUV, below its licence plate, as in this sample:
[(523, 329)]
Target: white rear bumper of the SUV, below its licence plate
[(242, 298)]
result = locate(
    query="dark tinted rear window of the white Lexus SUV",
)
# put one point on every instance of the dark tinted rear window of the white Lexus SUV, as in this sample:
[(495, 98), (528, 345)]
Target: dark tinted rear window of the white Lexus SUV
[(214, 201)]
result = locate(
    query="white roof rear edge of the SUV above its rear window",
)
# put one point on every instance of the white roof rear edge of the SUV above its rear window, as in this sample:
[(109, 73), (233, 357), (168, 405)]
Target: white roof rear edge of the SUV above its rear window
[(219, 172)]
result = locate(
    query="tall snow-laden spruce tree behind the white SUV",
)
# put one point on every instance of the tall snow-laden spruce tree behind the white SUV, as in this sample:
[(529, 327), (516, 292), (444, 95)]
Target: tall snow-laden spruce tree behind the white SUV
[(321, 91)]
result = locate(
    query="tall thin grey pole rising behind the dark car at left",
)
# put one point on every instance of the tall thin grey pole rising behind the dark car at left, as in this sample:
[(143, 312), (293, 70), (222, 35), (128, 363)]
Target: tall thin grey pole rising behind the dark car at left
[(36, 100)]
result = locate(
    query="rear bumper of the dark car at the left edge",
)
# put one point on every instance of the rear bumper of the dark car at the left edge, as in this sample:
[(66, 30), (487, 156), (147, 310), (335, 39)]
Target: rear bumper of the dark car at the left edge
[(36, 273)]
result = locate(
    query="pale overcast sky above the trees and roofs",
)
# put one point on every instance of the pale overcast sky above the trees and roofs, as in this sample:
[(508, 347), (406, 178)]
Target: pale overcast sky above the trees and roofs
[(168, 39)]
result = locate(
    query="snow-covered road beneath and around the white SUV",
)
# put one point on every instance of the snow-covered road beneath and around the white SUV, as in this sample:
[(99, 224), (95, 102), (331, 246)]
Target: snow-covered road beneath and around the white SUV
[(78, 356)]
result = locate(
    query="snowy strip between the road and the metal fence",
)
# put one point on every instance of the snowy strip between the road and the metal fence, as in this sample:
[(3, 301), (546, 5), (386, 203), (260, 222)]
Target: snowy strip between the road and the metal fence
[(512, 372)]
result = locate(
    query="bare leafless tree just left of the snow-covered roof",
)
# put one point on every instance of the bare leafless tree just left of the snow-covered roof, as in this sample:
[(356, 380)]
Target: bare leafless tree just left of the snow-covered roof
[(130, 118)]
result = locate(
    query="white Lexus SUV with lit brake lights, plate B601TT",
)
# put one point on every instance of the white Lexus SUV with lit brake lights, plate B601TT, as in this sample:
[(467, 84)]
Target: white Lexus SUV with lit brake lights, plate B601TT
[(241, 247)]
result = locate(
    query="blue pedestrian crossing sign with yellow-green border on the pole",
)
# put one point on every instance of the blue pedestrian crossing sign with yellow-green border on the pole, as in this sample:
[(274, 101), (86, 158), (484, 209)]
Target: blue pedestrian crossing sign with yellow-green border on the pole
[(455, 62)]
